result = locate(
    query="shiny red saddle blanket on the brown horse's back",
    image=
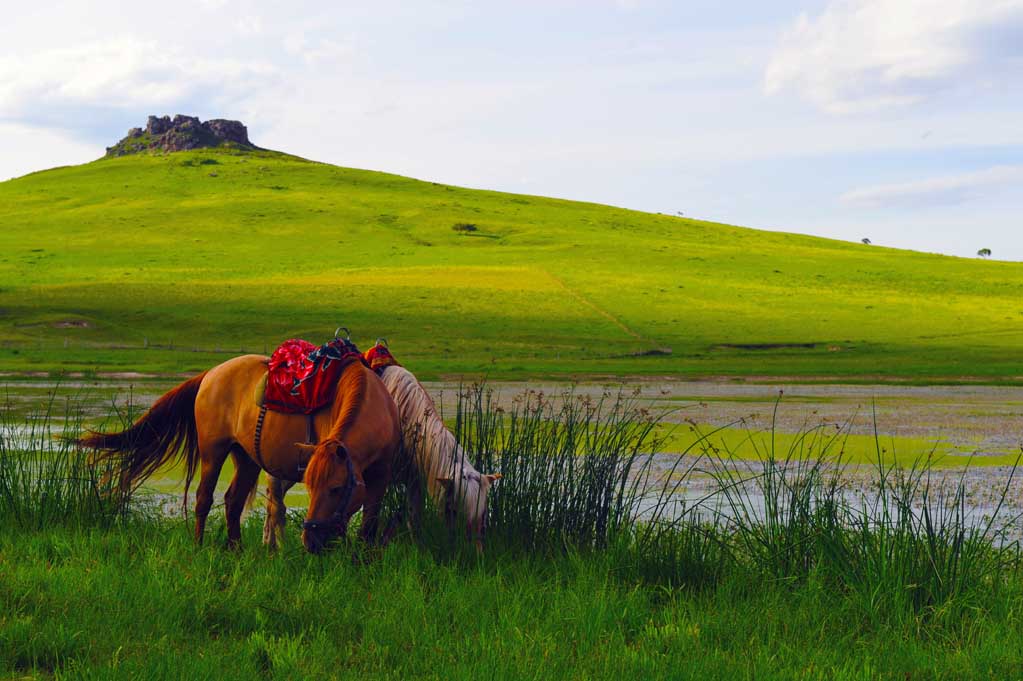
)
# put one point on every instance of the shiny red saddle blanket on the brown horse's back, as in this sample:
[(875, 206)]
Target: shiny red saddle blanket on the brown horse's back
[(303, 379)]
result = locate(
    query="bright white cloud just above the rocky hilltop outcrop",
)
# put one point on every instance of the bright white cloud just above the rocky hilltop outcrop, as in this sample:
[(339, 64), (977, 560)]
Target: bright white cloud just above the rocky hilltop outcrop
[(83, 87)]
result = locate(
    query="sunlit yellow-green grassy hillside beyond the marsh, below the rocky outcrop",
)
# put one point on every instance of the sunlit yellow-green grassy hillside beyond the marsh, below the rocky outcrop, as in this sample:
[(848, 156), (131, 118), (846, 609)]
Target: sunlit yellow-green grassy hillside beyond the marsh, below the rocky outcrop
[(172, 263)]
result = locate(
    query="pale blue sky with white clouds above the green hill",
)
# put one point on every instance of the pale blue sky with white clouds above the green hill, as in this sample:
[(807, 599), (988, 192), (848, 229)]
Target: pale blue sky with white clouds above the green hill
[(898, 121)]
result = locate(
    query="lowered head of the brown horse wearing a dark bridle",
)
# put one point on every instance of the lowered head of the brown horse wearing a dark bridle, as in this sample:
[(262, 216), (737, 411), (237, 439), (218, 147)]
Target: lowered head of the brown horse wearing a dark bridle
[(336, 489)]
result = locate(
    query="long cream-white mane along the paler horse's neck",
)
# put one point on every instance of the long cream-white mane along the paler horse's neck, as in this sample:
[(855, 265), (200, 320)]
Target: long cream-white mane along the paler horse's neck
[(437, 451)]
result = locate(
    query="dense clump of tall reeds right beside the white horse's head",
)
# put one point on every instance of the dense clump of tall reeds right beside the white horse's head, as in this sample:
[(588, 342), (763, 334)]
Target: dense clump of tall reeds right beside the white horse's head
[(568, 464)]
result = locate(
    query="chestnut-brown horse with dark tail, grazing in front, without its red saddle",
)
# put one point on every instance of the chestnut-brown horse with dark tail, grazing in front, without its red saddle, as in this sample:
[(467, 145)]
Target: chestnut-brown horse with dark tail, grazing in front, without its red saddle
[(215, 415)]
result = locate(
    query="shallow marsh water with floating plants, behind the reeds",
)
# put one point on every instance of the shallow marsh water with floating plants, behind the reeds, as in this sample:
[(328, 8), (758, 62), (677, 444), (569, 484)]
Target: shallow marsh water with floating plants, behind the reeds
[(982, 422)]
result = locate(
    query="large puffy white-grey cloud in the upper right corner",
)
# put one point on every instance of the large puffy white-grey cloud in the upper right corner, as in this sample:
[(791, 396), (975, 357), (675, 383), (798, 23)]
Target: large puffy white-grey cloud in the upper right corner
[(862, 56)]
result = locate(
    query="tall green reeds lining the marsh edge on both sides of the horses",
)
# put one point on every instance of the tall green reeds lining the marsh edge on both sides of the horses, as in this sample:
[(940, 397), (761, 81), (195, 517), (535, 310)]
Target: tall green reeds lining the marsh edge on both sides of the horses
[(581, 478)]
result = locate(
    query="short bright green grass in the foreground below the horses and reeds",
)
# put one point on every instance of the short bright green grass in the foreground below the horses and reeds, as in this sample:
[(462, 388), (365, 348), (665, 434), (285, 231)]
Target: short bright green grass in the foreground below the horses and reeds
[(142, 602)]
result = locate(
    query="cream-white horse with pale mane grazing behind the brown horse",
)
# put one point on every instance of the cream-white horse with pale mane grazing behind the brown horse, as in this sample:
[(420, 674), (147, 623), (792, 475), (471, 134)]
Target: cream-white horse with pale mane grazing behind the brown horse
[(457, 488)]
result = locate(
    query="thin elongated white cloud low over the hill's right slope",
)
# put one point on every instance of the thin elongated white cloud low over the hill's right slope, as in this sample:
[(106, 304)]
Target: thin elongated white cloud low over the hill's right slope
[(939, 192)]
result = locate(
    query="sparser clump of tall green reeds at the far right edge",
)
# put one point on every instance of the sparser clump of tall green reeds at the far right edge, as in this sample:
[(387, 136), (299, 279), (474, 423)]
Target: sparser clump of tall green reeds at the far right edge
[(905, 543)]
